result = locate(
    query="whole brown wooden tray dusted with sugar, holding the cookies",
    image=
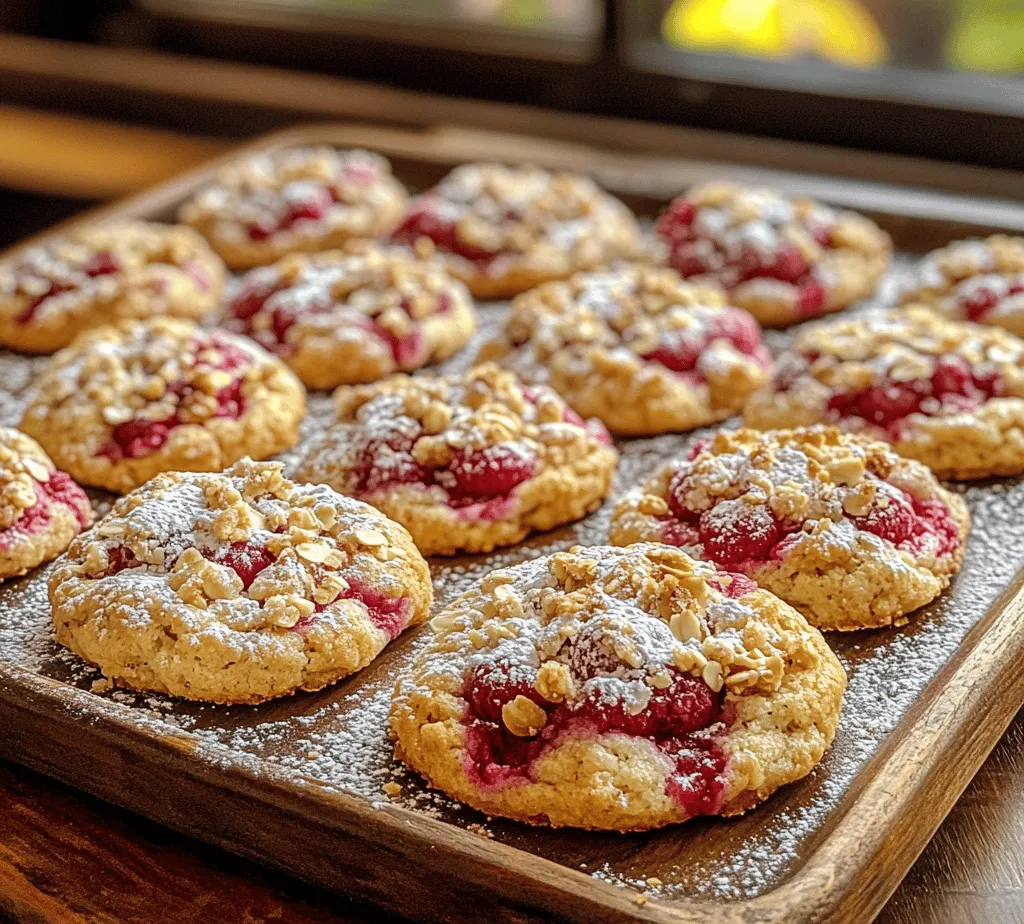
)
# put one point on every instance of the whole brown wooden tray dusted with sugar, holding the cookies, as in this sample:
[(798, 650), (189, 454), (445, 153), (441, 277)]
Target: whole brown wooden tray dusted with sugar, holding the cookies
[(297, 784)]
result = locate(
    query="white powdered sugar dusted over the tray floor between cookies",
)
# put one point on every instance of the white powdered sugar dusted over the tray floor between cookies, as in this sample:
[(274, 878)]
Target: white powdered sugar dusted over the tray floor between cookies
[(339, 738)]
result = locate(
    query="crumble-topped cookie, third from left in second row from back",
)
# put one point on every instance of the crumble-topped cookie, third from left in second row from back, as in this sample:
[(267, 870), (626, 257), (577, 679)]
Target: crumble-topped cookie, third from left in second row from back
[(636, 348)]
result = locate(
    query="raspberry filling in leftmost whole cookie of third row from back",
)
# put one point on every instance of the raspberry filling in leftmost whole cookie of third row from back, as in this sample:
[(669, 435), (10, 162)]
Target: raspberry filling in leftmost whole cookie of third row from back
[(139, 438)]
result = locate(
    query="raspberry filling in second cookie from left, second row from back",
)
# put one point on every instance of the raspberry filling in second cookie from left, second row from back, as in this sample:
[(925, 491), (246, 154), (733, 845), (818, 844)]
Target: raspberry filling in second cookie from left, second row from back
[(409, 351)]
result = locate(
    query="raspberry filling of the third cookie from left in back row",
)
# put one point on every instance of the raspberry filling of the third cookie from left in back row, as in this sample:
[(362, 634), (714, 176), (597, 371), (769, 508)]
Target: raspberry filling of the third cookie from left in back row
[(693, 254)]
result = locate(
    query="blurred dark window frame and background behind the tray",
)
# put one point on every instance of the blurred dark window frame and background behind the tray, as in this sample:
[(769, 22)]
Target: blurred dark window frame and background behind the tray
[(100, 98)]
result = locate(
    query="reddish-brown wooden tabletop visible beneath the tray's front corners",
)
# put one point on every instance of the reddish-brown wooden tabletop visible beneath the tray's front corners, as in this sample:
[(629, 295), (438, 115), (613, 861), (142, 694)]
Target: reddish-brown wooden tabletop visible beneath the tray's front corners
[(68, 858)]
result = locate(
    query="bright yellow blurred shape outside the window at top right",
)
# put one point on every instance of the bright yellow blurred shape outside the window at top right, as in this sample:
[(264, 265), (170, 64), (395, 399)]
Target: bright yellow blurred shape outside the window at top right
[(841, 31)]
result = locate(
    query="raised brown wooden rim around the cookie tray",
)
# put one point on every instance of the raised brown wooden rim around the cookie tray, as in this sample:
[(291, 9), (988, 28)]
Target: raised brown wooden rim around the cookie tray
[(823, 890)]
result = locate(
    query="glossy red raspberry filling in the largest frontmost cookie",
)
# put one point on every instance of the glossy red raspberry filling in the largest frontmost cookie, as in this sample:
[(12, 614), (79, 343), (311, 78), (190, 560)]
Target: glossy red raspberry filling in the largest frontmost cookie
[(681, 721)]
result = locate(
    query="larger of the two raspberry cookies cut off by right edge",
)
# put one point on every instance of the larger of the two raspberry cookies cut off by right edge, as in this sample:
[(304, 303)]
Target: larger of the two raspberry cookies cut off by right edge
[(950, 394)]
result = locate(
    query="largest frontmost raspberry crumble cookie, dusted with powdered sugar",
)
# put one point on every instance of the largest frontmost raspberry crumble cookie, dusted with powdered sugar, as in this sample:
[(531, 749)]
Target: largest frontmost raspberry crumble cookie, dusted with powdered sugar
[(618, 689)]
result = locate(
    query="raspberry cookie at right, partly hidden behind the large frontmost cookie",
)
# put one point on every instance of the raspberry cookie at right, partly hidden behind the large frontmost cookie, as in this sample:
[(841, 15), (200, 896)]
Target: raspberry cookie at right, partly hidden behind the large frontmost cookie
[(849, 533)]
